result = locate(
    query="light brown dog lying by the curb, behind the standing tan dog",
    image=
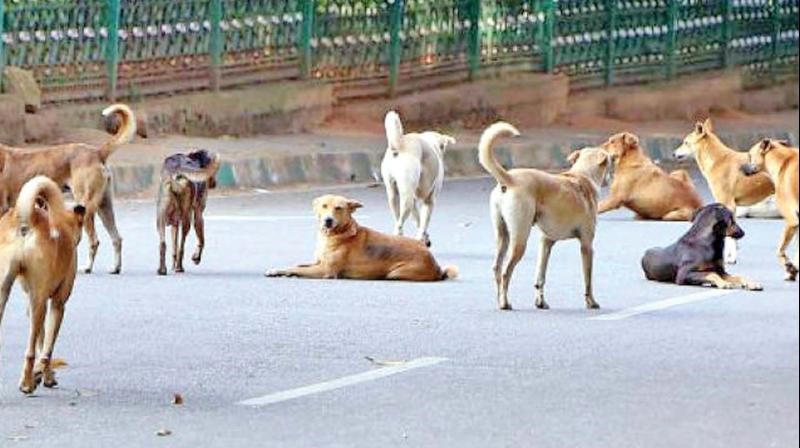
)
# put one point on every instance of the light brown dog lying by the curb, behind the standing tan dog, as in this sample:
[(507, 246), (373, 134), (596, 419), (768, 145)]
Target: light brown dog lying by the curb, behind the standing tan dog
[(645, 188)]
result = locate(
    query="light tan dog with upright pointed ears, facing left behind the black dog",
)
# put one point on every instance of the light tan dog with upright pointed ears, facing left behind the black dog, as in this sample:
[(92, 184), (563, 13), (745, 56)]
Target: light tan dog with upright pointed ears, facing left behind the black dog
[(721, 166)]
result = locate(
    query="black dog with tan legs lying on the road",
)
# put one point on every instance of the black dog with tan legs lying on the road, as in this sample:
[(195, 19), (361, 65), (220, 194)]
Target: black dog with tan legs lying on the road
[(697, 258)]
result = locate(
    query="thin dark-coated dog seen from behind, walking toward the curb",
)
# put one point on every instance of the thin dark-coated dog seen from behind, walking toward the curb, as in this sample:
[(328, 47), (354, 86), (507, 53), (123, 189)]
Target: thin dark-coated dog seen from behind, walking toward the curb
[(185, 181)]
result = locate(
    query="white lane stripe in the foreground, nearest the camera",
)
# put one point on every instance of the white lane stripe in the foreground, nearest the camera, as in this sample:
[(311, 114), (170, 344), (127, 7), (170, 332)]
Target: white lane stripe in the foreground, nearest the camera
[(340, 383)]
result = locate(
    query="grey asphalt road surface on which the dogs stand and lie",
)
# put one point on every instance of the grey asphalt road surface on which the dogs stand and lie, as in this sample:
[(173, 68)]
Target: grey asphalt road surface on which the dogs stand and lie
[(715, 372)]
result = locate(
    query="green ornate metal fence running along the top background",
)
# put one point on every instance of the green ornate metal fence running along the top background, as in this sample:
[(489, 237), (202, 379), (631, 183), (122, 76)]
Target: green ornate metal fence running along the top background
[(93, 49)]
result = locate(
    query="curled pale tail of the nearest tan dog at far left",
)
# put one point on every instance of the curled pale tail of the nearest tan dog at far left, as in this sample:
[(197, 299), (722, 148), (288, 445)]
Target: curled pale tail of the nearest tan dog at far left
[(39, 199)]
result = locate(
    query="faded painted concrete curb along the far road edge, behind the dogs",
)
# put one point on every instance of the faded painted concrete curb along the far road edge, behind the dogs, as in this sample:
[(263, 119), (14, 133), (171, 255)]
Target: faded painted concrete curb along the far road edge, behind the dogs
[(341, 168)]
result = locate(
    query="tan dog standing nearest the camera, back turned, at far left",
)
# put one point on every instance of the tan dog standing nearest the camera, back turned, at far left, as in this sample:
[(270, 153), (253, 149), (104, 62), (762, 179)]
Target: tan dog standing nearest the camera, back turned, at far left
[(38, 241)]
